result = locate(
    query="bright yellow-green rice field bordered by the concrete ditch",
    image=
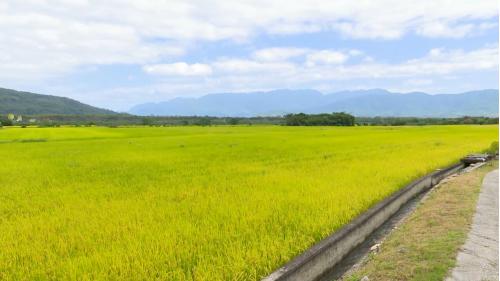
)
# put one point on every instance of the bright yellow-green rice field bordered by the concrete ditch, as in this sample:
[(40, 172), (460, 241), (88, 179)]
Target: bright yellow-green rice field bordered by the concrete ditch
[(198, 203)]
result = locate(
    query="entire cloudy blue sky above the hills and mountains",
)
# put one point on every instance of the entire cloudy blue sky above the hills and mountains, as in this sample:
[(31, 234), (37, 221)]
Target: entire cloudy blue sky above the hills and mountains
[(116, 54)]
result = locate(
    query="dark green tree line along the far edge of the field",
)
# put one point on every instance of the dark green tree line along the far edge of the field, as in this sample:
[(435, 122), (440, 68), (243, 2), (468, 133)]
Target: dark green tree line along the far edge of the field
[(300, 119)]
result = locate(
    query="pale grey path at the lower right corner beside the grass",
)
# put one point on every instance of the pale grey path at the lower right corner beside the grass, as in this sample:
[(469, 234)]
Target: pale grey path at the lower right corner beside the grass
[(478, 258)]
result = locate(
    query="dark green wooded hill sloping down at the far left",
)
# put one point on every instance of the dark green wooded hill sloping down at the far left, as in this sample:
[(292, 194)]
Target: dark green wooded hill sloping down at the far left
[(12, 101)]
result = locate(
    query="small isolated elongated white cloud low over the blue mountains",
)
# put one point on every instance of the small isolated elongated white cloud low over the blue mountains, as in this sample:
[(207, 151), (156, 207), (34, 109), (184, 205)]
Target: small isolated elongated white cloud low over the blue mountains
[(179, 68)]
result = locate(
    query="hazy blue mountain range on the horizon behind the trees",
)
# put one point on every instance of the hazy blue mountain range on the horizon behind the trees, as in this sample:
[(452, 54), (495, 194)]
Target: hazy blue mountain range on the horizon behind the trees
[(367, 103)]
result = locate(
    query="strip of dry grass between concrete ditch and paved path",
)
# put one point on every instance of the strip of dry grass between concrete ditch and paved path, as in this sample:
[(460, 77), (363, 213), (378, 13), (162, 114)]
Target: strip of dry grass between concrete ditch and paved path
[(425, 245)]
